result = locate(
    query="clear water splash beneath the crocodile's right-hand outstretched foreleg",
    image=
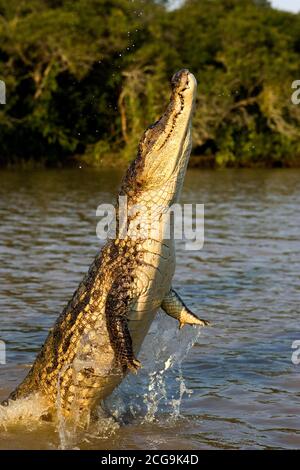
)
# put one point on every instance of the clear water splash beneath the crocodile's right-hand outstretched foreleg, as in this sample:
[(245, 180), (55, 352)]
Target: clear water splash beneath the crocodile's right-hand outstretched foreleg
[(160, 386)]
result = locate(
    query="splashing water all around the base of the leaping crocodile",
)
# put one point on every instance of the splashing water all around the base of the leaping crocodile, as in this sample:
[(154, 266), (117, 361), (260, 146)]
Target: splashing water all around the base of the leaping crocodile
[(155, 393)]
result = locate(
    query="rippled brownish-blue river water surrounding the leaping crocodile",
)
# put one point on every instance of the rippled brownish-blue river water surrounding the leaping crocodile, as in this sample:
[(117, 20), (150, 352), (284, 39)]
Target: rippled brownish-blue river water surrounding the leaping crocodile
[(230, 386)]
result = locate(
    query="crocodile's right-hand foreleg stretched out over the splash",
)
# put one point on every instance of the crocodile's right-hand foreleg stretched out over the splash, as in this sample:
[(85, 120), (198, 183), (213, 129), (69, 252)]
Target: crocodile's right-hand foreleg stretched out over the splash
[(174, 306)]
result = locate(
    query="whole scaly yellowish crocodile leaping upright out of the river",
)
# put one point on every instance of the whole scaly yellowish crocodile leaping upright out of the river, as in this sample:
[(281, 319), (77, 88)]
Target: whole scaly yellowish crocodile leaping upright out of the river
[(96, 339)]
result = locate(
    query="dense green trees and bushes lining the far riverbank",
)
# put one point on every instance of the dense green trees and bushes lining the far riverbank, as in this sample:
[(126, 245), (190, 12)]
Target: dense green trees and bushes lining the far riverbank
[(85, 77)]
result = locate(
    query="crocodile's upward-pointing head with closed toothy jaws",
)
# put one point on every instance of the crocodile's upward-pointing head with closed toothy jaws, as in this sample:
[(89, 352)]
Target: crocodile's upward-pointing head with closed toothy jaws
[(165, 147)]
